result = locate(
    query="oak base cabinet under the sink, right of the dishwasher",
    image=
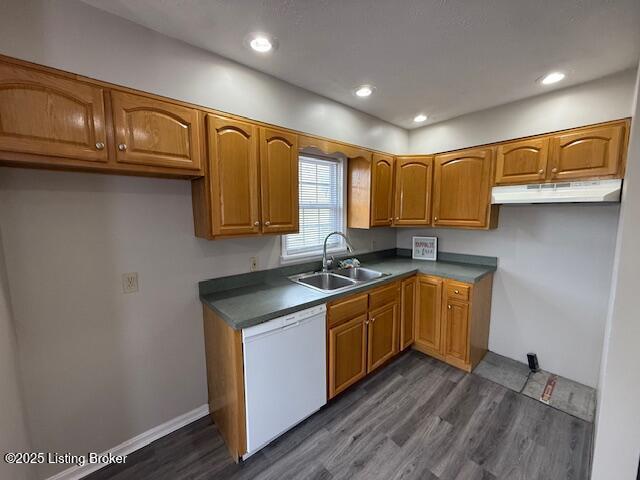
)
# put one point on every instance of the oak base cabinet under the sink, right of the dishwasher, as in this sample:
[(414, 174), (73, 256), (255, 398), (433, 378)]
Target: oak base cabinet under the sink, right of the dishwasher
[(363, 333)]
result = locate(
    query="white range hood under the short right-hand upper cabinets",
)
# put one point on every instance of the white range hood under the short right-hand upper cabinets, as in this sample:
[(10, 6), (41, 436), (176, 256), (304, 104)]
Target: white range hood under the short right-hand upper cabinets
[(564, 192)]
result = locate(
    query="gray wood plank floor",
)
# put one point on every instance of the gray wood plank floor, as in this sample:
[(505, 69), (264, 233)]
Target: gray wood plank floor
[(416, 418)]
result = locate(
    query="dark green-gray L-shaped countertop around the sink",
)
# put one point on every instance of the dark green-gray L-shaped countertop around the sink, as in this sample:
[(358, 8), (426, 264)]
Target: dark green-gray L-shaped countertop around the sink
[(250, 299)]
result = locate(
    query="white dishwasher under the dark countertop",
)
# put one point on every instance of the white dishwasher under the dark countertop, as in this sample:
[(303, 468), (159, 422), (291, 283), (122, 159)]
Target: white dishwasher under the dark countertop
[(285, 373)]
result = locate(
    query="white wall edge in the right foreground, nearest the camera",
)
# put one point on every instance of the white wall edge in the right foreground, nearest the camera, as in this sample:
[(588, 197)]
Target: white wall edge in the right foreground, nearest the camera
[(617, 440)]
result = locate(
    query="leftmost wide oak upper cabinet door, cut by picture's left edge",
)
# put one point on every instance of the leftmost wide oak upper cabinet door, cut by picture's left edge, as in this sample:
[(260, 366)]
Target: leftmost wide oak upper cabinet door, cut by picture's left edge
[(44, 114)]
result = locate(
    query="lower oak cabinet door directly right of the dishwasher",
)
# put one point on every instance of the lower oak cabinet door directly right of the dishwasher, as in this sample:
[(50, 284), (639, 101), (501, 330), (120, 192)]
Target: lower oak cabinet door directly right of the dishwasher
[(347, 354)]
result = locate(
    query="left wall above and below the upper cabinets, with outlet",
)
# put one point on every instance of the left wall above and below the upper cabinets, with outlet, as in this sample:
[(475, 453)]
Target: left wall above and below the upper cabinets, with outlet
[(100, 367)]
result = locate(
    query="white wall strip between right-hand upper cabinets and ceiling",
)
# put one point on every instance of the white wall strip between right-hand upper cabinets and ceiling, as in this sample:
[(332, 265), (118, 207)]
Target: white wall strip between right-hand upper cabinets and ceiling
[(608, 98)]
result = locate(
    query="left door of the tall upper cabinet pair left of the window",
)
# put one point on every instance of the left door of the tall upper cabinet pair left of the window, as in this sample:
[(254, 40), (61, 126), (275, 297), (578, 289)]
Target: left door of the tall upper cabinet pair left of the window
[(233, 157)]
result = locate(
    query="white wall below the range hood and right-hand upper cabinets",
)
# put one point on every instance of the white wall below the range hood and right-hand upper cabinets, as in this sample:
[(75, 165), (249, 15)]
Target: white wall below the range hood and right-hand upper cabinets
[(551, 289)]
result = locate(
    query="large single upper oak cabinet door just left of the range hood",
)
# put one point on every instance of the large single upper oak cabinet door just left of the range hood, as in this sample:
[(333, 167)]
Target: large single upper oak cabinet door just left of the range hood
[(462, 189)]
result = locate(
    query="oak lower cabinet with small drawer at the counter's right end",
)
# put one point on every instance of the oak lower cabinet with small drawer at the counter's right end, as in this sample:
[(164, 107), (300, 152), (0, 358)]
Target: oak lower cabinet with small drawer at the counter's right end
[(452, 319)]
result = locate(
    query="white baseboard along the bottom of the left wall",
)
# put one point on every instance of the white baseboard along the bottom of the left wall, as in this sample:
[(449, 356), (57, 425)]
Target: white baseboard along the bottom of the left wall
[(135, 443)]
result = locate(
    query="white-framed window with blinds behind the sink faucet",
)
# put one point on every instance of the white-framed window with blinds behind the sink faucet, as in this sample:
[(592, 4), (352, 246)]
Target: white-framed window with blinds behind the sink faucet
[(321, 208)]
